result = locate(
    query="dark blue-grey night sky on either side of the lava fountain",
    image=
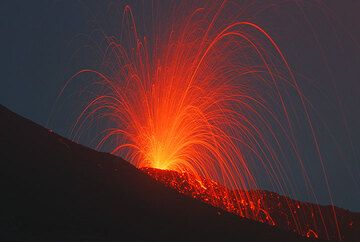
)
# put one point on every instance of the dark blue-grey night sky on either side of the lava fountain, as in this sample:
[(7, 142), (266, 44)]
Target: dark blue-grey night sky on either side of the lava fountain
[(41, 48)]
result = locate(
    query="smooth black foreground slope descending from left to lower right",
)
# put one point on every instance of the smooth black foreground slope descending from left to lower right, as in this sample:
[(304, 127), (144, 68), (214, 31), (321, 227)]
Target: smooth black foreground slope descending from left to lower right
[(56, 190)]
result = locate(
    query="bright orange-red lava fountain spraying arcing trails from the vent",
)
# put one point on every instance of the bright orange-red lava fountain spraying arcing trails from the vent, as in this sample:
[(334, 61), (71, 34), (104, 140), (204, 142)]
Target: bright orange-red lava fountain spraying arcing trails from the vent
[(209, 94)]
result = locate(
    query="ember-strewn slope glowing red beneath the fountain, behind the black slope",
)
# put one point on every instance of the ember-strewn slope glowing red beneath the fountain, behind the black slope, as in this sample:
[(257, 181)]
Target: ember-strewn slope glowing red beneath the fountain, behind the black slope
[(270, 208)]
